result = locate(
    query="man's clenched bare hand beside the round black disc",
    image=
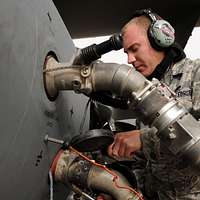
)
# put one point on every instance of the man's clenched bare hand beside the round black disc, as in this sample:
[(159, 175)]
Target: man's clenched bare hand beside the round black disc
[(125, 144)]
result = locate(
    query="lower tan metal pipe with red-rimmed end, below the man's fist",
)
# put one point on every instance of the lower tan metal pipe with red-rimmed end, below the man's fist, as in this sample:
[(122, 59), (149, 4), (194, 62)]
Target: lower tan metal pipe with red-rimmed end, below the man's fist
[(68, 167)]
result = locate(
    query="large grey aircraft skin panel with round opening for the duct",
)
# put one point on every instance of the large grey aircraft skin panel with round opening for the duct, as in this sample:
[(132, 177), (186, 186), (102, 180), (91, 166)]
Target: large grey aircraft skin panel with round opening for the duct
[(29, 30)]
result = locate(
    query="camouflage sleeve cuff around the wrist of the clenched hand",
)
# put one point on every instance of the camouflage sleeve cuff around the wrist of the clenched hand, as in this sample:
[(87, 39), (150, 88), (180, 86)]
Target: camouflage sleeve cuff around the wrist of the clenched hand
[(150, 143)]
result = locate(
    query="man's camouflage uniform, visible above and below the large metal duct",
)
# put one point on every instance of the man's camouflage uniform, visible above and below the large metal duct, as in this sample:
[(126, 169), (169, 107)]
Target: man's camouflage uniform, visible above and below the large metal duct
[(169, 177)]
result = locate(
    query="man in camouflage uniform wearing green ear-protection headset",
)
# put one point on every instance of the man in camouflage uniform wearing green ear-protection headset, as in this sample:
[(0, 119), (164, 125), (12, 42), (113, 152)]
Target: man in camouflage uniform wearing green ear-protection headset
[(164, 174)]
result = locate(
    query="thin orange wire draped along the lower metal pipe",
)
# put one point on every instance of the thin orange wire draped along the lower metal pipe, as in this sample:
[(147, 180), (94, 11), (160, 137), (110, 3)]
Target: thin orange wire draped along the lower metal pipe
[(115, 176)]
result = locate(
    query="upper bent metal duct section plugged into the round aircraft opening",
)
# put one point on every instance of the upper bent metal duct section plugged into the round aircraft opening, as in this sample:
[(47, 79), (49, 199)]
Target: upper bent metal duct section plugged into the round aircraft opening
[(120, 79)]
